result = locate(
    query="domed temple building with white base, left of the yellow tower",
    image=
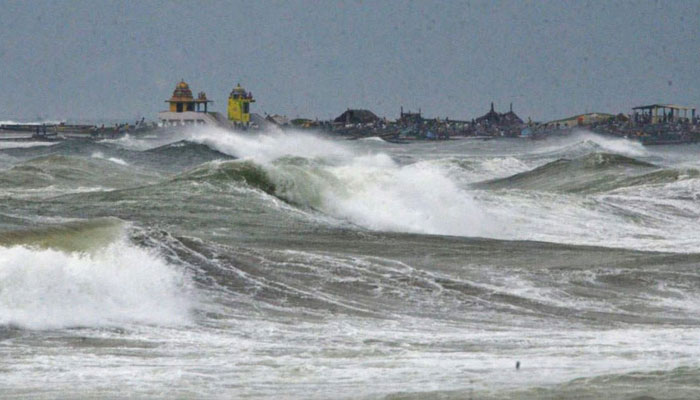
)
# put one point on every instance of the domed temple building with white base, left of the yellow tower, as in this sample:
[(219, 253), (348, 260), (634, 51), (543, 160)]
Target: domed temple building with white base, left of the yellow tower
[(185, 110)]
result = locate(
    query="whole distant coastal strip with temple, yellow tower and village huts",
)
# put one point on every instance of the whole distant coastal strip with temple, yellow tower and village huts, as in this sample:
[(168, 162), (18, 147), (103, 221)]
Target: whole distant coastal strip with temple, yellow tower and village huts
[(650, 124)]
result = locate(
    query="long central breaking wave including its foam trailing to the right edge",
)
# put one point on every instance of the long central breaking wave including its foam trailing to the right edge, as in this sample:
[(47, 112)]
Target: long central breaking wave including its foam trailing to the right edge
[(373, 190)]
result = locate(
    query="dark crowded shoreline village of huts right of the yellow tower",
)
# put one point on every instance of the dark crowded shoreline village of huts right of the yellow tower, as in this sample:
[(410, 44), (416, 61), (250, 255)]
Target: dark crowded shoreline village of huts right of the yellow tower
[(650, 124)]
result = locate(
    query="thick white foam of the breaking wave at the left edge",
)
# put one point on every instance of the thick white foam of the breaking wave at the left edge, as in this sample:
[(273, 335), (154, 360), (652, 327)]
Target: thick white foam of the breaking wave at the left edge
[(115, 285)]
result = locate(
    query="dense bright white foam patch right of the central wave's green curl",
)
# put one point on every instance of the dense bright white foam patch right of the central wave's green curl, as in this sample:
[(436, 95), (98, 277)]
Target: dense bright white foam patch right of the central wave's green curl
[(421, 198)]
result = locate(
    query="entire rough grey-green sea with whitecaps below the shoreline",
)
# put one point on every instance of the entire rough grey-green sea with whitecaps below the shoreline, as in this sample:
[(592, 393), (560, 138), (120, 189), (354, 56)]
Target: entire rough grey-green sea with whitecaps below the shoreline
[(210, 264)]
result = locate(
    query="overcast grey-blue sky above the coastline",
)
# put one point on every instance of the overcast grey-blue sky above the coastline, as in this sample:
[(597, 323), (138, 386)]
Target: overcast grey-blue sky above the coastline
[(97, 59)]
